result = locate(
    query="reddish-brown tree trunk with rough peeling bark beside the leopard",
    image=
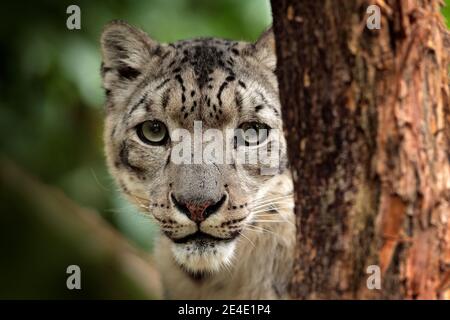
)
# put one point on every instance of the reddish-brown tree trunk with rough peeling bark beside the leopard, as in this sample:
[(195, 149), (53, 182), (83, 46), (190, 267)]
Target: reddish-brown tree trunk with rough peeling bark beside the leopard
[(367, 118)]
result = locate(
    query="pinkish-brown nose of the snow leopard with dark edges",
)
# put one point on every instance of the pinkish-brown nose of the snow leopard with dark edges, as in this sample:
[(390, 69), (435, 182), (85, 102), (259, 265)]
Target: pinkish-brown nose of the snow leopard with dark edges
[(197, 210)]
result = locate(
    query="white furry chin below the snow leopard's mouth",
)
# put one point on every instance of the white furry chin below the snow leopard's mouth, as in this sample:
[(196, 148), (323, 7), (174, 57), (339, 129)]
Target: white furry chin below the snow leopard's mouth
[(196, 259)]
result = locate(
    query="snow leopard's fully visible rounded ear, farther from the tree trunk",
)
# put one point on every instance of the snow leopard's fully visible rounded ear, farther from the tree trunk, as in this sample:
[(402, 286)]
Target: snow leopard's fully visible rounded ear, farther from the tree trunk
[(126, 50)]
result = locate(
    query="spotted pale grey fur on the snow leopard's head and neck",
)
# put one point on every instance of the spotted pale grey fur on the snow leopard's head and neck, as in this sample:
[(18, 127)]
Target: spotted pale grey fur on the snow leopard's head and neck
[(223, 84)]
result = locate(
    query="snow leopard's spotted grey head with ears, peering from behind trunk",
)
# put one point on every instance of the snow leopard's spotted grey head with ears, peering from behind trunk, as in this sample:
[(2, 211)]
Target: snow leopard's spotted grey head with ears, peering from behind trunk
[(155, 91)]
